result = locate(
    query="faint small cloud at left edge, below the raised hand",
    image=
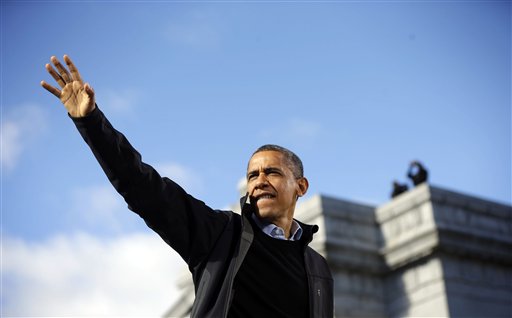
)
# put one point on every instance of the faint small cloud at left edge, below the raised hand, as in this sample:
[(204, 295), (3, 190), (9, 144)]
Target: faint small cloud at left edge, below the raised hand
[(21, 126)]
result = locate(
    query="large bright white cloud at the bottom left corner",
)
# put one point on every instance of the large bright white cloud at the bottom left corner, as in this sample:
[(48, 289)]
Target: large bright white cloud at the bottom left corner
[(80, 275)]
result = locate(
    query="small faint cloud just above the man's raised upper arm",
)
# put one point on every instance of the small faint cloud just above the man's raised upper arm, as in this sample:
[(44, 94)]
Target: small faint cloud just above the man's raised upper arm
[(184, 176)]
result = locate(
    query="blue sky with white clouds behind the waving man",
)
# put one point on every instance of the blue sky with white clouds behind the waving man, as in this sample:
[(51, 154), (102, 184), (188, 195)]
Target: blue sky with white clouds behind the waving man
[(357, 89)]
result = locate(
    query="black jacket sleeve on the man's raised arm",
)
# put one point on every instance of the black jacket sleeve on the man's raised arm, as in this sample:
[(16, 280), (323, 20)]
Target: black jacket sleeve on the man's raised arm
[(188, 225)]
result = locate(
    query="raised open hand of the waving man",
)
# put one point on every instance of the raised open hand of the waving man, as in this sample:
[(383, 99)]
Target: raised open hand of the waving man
[(77, 97)]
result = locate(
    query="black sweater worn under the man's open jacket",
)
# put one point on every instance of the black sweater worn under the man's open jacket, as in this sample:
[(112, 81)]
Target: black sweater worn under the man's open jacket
[(276, 267)]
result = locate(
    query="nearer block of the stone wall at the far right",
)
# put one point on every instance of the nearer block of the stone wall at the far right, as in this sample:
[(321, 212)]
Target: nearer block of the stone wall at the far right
[(448, 254)]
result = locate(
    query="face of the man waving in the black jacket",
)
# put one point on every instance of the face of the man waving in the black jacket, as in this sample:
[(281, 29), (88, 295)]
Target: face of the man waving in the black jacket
[(272, 187)]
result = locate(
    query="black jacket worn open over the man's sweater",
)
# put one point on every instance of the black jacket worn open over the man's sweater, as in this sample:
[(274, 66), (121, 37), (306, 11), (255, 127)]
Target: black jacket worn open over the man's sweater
[(213, 243)]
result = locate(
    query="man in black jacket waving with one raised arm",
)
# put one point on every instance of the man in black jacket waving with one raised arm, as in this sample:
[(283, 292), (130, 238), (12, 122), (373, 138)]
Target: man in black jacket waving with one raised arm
[(256, 264)]
